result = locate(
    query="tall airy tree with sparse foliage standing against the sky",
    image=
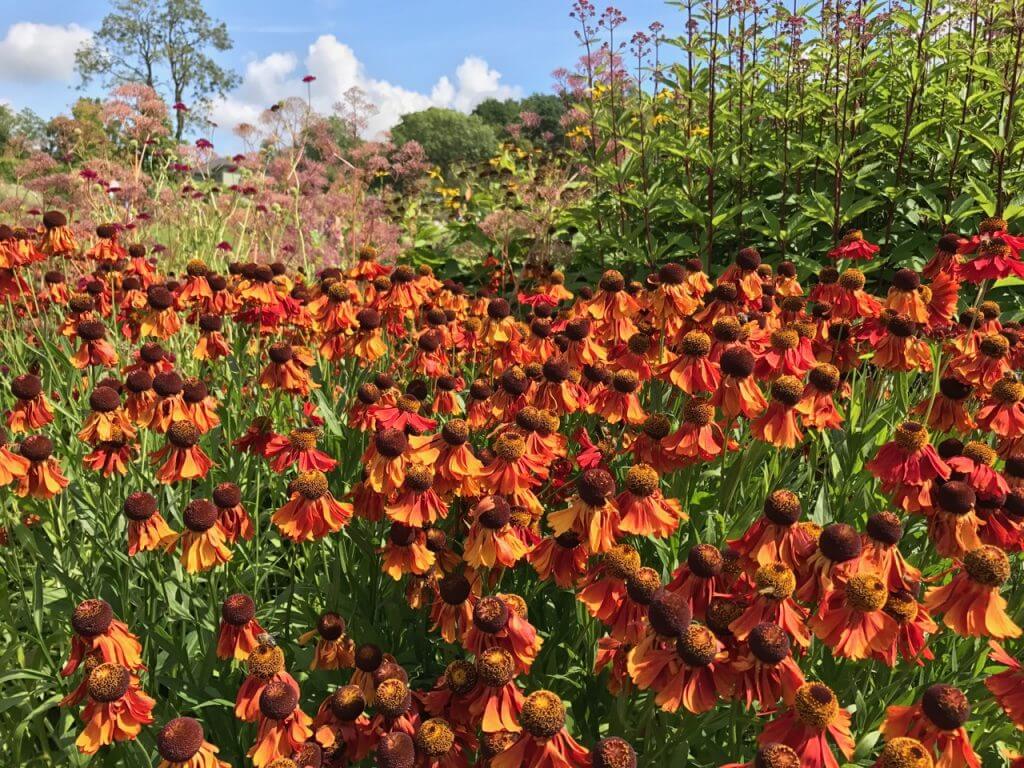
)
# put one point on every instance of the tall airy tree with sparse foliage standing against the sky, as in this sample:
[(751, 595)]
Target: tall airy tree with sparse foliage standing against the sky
[(164, 45)]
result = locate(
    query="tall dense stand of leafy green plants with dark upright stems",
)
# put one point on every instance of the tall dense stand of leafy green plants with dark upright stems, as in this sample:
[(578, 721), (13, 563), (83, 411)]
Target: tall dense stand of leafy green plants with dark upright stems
[(783, 131)]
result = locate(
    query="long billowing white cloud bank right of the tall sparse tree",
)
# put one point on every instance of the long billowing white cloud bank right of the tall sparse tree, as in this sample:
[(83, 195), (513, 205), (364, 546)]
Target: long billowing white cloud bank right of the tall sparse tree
[(337, 69)]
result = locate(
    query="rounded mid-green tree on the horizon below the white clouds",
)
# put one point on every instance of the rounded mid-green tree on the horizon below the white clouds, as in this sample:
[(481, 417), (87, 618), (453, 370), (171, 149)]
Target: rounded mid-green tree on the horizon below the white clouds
[(448, 138)]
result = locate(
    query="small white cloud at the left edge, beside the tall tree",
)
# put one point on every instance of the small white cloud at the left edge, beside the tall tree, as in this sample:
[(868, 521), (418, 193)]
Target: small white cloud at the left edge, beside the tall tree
[(34, 53)]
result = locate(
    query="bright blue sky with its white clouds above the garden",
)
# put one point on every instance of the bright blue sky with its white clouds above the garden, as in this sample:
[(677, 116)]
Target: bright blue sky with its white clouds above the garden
[(405, 54)]
